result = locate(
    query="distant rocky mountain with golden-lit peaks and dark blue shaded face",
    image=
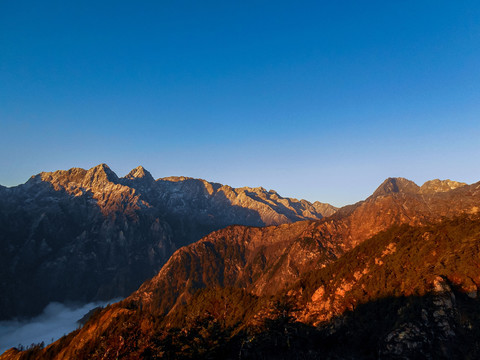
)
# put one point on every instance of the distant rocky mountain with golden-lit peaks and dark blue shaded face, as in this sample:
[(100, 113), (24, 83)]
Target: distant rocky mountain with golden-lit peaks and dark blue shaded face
[(83, 235)]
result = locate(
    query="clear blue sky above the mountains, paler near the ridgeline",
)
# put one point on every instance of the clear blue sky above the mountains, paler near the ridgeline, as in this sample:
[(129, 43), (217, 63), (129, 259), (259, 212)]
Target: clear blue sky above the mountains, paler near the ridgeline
[(319, 100)]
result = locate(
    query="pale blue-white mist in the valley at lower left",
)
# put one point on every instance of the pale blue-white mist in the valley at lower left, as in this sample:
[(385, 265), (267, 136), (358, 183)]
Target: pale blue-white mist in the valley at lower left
[(55, 321)]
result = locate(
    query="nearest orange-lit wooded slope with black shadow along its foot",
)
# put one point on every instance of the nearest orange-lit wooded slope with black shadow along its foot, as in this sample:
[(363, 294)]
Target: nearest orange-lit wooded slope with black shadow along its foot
[(408, 292)]
